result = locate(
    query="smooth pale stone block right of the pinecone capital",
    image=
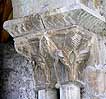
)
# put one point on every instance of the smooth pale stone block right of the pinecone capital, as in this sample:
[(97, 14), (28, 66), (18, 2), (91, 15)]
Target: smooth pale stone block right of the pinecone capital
[(98, 51)]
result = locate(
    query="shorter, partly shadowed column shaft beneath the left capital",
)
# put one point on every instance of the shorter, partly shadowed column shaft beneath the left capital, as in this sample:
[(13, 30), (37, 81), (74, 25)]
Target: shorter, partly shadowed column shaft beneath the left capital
[(47, 94)]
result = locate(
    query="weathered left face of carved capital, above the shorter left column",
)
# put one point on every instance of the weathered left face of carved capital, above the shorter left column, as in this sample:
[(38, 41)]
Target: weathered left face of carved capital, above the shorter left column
[(30, 49)]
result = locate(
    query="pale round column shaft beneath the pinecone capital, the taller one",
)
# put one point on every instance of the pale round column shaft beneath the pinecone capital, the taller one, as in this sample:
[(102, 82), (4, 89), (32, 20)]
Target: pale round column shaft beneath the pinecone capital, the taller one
[(70, 91)]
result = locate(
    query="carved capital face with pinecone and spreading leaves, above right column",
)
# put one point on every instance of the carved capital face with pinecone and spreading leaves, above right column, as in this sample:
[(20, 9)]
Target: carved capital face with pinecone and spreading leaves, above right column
[(74, 55)]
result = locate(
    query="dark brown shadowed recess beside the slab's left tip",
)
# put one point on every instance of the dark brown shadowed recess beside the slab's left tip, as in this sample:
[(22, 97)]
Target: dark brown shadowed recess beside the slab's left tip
[(6, 13)]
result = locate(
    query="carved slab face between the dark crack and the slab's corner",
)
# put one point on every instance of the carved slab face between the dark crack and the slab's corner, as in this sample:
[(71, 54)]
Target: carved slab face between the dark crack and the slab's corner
[(56, 20)]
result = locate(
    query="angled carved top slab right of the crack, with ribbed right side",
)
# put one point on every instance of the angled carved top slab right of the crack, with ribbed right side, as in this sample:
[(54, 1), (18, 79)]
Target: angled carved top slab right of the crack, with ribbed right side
[(77, 14)]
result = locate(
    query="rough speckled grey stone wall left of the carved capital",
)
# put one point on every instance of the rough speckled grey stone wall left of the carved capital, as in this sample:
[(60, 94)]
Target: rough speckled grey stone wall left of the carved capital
[(16, 75)]
